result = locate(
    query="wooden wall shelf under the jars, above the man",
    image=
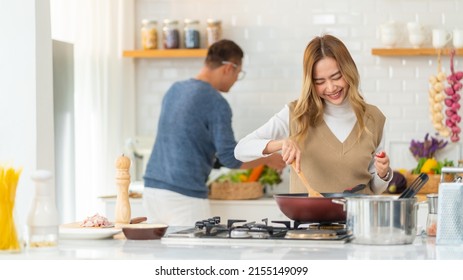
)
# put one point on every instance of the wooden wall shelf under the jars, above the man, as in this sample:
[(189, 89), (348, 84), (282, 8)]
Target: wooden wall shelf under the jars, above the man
[(165, 53)]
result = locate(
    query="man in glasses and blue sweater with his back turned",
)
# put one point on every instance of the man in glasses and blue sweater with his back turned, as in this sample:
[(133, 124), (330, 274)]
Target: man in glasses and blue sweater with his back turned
[(195, 130)]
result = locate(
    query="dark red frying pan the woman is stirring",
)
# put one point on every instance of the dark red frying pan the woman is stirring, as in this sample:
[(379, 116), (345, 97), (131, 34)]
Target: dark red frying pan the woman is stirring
[(299, 207)]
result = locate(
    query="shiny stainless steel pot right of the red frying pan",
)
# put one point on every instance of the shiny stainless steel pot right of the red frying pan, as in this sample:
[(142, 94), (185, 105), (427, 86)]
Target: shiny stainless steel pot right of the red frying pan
[(381, 220)]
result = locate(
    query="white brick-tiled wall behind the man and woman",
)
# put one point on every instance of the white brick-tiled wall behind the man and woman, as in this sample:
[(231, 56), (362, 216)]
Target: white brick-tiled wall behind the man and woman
[(274, 34)]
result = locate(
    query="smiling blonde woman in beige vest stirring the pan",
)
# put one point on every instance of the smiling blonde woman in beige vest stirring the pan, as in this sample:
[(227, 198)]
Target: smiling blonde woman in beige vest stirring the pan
[(334, 137)]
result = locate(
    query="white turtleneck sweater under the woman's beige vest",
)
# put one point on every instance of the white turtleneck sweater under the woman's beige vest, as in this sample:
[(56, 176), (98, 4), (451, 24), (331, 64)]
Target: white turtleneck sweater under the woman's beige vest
[(339, 118)]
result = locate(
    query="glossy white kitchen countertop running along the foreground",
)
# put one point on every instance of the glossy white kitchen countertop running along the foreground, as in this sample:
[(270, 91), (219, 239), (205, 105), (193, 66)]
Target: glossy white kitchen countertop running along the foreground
[(423, 248)]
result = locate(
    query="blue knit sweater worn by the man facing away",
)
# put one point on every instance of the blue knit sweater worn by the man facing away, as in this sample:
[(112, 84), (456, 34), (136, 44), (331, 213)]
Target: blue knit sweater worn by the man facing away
[(194, 129)]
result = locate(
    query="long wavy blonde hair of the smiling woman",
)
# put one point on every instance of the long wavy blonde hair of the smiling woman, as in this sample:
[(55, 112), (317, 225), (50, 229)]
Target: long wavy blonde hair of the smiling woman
[(309, 107)]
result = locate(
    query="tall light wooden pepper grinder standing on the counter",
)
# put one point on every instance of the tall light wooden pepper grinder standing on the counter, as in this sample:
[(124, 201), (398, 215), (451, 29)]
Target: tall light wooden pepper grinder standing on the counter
[(123, 182)]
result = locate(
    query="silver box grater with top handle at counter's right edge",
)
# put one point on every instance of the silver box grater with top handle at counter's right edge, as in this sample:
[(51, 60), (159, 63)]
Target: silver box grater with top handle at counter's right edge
[(450, 210)]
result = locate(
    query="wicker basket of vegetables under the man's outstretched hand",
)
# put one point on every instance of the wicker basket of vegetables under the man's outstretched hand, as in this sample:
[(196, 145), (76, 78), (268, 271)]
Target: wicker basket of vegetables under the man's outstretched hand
[(235, 191)]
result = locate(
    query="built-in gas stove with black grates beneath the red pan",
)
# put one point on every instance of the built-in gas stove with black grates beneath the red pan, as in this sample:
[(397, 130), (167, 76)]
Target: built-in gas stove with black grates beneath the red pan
[(236, 231)]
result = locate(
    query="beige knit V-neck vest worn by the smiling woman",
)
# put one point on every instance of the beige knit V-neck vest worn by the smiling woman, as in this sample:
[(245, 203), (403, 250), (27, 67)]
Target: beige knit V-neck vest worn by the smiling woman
[(331, 166)]
